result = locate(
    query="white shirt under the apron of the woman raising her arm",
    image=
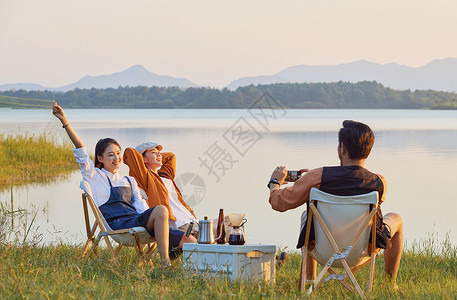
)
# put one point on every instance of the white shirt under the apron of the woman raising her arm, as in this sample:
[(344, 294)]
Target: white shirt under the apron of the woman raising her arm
[(99, 184)]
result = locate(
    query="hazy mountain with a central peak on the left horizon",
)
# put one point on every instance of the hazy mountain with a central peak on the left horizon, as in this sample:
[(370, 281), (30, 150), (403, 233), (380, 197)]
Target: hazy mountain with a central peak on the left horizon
[(134, 76)]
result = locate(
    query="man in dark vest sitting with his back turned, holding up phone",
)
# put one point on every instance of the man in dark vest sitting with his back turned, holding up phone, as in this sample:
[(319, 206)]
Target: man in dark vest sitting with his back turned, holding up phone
[(355, 141)]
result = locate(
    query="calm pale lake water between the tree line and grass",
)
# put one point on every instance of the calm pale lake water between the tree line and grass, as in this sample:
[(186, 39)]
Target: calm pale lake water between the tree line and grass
[(225, 158)]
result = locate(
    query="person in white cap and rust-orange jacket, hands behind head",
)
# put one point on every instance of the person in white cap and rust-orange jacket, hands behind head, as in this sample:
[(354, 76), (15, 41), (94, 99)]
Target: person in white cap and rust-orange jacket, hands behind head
[(155, 172)]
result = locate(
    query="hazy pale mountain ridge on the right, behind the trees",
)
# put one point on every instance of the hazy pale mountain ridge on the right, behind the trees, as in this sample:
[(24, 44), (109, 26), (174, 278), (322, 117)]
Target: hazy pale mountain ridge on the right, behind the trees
[(438, 75)]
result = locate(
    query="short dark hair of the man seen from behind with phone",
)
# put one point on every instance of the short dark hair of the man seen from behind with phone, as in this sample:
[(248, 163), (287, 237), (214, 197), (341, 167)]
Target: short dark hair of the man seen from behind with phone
[(358, 138)]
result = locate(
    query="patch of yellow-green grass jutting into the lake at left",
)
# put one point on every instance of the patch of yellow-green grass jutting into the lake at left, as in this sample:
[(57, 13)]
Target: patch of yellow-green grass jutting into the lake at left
[(32, 158)]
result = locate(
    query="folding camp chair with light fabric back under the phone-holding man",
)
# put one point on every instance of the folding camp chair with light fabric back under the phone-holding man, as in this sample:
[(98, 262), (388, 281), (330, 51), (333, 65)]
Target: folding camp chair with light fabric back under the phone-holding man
[(342, 227)]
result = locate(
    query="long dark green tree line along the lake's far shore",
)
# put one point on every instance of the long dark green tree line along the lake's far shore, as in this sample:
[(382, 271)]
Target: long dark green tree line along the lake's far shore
[(336, 95)]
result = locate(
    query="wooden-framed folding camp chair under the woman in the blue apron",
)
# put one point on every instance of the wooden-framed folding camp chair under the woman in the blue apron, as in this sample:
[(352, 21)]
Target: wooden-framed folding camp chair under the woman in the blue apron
[(136, 237)]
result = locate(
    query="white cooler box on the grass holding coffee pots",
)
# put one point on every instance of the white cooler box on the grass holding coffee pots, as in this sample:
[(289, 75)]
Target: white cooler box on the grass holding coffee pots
[(249, 262)]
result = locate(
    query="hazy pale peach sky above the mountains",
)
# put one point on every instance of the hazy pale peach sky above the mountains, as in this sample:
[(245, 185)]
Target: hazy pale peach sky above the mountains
[(212, 42)]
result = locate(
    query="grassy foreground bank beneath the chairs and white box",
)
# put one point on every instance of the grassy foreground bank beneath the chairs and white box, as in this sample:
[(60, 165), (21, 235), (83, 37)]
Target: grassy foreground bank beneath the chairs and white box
[(56, 272)]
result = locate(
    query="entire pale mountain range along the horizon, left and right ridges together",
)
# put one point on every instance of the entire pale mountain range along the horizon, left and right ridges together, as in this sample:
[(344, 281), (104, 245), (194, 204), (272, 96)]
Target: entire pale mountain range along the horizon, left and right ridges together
[(440, 75)]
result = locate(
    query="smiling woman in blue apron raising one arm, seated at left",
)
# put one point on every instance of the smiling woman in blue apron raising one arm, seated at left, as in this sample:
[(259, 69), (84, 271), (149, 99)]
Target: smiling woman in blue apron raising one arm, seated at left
[(118, 197)]
